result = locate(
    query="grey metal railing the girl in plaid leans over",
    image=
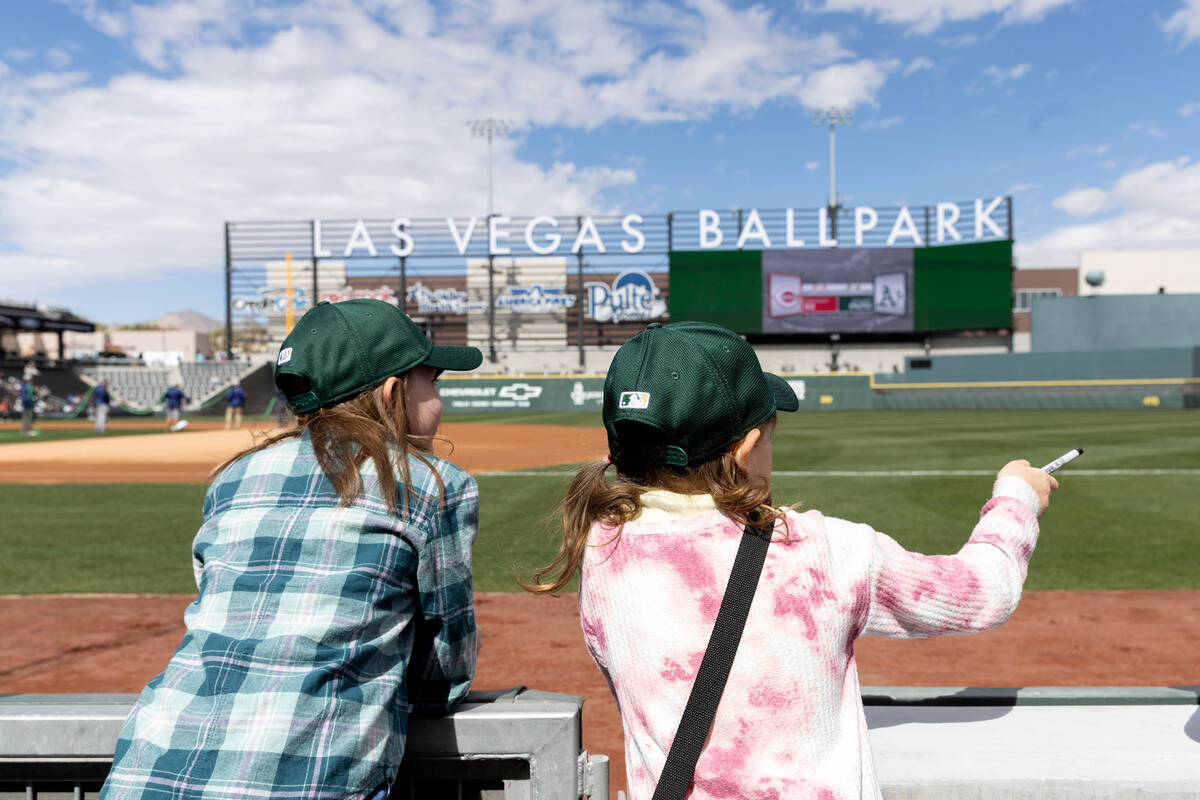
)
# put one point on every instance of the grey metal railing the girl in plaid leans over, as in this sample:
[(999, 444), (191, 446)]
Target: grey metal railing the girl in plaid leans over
[(511, 745)]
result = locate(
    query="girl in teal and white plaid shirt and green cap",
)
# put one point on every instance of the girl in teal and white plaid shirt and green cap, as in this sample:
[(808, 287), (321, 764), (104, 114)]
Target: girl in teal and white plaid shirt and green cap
[(334, 567)]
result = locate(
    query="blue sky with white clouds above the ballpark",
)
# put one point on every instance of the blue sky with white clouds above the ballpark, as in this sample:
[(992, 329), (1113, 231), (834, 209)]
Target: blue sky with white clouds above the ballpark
[(131, 131)]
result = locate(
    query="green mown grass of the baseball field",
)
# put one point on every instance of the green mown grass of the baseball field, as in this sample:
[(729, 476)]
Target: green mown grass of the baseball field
[(1102, 532)]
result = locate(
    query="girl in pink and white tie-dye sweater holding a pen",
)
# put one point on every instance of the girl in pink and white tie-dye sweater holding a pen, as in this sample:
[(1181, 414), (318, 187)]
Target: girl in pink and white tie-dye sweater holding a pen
[(691, 414)]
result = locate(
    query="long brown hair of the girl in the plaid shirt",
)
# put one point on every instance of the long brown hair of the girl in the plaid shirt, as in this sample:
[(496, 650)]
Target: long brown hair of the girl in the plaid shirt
[(344, 437)]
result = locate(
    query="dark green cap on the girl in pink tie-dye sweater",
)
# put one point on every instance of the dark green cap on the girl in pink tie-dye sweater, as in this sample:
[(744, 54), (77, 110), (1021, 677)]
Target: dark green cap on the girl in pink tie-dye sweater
[(681, 394)]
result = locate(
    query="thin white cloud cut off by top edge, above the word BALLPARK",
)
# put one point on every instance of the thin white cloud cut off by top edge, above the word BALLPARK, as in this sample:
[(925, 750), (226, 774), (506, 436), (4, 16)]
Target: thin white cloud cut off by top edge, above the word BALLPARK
[(926, 16)]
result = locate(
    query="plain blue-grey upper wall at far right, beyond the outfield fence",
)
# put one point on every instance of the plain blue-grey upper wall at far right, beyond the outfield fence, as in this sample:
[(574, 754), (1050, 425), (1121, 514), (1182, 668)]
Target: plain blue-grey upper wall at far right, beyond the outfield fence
[(1117, 322)]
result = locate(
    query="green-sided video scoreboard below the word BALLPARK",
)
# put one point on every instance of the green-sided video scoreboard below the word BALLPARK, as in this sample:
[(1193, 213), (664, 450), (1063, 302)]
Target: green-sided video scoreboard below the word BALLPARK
[(847, 291)]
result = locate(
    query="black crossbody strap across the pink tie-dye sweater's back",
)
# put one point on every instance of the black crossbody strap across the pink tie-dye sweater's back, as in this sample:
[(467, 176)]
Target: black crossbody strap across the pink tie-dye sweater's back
[(715, 670)]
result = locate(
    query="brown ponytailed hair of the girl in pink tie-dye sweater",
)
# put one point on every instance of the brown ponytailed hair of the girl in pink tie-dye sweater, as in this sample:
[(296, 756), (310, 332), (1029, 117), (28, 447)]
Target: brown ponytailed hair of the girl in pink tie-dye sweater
[(592, 498)]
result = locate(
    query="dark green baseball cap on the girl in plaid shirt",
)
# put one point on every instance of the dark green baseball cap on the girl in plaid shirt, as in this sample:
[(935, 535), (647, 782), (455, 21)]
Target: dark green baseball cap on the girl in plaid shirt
[(345, 348)]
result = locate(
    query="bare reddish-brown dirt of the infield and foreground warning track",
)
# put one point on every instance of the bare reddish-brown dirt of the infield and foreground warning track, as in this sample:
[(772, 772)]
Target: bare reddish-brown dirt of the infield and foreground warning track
[(116, 643)]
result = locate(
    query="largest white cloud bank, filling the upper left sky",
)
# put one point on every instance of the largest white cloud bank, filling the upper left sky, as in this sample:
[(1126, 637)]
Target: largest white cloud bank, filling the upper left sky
[(358, 109)]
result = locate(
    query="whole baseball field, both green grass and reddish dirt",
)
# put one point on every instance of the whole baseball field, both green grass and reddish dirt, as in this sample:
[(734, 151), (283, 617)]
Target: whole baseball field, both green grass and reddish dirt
[(97, 536)]
